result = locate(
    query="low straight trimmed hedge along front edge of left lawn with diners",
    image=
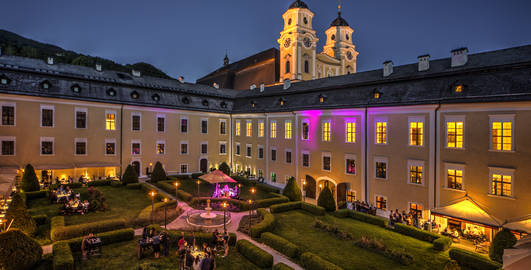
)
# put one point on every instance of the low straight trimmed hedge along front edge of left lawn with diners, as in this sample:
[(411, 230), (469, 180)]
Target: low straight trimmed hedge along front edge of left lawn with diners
[(68, 232)]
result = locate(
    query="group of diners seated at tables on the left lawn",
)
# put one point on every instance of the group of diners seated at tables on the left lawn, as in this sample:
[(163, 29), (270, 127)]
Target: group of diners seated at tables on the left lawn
[(70, 201)]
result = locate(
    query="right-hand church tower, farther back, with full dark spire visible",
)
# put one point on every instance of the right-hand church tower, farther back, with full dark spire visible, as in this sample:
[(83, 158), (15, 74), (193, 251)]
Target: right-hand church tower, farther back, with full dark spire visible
[(339, 44)]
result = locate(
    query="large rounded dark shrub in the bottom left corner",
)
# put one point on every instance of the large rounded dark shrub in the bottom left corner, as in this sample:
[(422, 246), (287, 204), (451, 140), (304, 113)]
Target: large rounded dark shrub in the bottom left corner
[(18, 251)]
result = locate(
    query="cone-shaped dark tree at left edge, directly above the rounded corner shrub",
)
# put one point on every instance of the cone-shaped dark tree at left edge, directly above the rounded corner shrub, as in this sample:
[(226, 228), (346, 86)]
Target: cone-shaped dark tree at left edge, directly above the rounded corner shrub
[(19, 214)]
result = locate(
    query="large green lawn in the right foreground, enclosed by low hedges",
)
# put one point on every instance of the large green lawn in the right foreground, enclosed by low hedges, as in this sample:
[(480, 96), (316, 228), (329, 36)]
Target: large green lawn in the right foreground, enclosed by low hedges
[(297, 227)]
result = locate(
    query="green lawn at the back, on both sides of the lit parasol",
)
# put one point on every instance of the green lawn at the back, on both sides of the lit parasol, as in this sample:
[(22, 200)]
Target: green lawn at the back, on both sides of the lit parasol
[(206, 189)]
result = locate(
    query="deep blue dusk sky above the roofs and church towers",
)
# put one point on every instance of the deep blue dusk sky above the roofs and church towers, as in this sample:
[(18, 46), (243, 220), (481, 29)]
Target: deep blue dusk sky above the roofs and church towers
[(190, 38)]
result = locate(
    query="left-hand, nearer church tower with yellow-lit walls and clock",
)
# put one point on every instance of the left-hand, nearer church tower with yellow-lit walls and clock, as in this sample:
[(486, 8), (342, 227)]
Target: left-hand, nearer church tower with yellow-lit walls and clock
[(297, 43)]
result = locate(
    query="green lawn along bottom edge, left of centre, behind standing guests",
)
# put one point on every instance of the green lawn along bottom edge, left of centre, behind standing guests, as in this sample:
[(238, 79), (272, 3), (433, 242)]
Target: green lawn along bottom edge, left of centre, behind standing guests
[(122, 256)]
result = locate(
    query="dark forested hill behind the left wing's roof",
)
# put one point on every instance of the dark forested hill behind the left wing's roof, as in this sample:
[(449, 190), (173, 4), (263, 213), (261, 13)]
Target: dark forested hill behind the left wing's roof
[(13, 44)]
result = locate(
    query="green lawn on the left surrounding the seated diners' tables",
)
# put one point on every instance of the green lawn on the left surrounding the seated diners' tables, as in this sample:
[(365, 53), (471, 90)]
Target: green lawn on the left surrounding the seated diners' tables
[(122, 202)]
